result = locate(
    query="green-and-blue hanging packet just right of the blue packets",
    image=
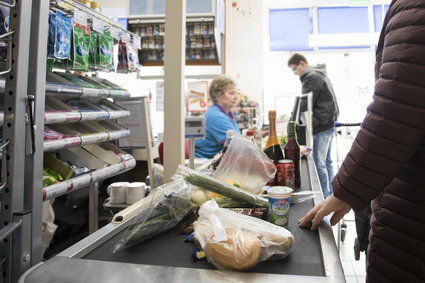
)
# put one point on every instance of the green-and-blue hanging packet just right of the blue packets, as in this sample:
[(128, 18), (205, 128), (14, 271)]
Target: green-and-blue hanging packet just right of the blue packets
[(81, 41)]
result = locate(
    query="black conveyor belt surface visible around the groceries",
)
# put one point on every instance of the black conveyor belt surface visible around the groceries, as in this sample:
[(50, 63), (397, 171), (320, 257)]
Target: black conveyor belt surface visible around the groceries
[(169, 249)]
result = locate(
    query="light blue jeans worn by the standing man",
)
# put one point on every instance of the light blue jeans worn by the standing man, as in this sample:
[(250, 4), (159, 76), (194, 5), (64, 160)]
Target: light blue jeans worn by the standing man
[(322, 143)]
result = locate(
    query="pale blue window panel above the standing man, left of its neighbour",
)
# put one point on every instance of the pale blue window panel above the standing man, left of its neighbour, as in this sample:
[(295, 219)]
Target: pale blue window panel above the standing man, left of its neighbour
[(289, 29)]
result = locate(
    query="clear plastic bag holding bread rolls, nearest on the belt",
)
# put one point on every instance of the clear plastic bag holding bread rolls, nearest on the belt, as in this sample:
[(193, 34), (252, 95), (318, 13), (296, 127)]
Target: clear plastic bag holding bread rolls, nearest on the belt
[(237, 242)]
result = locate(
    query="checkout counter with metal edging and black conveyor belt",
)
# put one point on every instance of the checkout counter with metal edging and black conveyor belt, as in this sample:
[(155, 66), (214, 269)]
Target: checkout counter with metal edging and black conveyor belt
[(167, 258)]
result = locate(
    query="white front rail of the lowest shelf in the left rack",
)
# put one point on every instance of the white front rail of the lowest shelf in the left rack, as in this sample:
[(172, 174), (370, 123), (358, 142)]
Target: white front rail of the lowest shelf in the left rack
[(85, 180)]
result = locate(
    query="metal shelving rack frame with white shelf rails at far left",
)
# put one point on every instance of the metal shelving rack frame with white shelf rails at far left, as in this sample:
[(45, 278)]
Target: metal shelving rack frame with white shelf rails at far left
[(23, 117)]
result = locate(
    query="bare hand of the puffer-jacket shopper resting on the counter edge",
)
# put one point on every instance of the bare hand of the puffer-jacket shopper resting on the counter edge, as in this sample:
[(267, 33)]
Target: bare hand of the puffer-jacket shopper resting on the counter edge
[(329, 205)]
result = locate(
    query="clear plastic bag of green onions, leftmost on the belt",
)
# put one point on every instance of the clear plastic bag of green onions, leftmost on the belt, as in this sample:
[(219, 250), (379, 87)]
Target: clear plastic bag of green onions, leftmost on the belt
[(160, 211)]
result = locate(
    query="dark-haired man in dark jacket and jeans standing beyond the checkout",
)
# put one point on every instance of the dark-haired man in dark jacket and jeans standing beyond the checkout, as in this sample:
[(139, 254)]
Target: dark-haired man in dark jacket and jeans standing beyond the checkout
[(325, 113)]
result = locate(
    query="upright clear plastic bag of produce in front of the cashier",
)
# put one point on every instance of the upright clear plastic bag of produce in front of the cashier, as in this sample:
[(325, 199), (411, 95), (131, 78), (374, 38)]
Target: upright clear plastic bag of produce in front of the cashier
[(245, 165)]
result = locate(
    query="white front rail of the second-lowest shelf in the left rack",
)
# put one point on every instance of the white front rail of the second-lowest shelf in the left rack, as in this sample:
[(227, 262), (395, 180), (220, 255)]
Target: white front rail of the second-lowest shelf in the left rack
[(54, 145)]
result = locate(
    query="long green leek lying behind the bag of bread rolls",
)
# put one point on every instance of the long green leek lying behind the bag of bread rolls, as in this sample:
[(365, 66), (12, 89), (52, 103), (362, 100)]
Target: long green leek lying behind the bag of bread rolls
[(217, 186)]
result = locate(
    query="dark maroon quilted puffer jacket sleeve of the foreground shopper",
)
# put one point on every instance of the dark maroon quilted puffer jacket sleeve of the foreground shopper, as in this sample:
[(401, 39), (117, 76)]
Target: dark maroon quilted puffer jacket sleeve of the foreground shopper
[(395, 123)]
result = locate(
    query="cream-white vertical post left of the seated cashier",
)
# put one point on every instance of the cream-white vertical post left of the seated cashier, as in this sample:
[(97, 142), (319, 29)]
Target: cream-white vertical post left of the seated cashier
[(174, 95)]
